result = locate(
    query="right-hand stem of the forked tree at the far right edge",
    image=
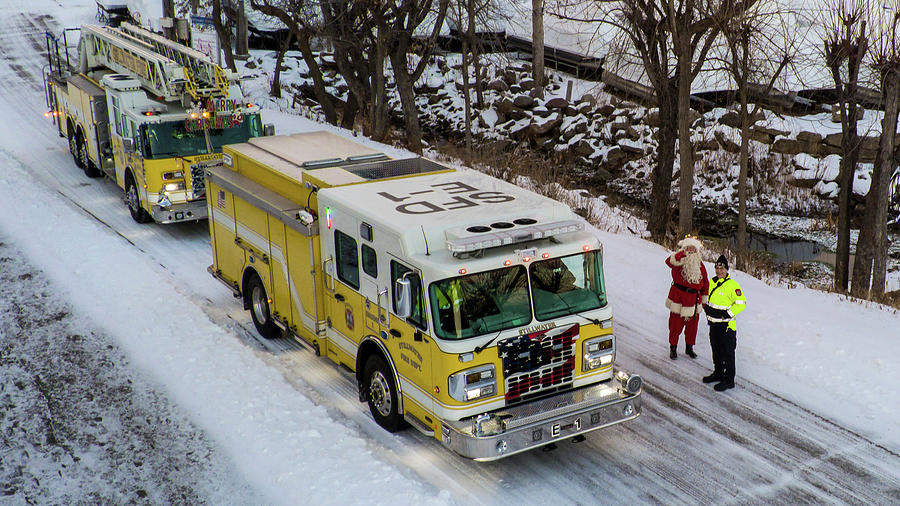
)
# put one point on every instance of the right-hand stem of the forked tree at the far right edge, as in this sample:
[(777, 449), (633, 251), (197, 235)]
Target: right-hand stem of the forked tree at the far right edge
[(881, 177)]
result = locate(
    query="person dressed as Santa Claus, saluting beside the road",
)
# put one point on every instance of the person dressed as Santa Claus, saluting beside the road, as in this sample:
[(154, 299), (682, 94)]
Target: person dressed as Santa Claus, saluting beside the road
[(689, 291)]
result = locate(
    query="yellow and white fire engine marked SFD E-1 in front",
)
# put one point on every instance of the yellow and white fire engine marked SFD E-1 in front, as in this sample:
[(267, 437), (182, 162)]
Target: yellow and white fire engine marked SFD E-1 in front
[(469, 308)]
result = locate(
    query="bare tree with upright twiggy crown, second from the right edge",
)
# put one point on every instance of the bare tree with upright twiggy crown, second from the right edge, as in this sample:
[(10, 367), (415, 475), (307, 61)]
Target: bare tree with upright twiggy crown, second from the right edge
[(845, 47)]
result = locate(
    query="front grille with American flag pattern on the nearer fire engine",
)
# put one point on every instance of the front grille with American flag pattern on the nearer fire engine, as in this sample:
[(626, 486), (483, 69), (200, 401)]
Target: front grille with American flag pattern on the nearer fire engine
[(538, 363)]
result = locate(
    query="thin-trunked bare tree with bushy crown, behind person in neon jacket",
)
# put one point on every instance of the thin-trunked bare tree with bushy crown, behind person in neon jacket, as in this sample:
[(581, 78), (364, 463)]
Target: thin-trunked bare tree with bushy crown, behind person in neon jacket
[(759, 45)]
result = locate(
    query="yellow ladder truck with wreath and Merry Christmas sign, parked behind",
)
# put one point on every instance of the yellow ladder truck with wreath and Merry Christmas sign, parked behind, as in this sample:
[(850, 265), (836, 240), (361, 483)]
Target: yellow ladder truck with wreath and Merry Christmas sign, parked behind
[(147, 112)]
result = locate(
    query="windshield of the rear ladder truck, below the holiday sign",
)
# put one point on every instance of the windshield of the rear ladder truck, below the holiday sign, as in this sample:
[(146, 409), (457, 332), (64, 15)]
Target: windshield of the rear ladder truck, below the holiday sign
[(183, 138)]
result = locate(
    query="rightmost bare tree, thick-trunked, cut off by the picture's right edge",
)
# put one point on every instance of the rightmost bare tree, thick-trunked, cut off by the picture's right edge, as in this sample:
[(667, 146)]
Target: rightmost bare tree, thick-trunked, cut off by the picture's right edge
[(871, 246)]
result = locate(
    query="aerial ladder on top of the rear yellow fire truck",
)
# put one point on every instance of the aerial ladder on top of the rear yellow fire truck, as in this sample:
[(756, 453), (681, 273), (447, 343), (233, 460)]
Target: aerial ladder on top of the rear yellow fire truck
[(169, 70)]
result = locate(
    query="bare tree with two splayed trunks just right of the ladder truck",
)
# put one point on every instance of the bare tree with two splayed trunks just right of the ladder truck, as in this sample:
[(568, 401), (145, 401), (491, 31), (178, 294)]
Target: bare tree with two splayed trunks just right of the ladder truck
[(302, 22)]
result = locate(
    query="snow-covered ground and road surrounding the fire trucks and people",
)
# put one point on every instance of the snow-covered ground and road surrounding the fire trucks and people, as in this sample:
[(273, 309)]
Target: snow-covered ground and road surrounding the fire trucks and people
[(815, 417)]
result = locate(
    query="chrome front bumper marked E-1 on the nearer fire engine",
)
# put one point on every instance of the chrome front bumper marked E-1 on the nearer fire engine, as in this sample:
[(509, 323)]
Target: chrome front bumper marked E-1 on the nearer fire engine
[(544, 421)]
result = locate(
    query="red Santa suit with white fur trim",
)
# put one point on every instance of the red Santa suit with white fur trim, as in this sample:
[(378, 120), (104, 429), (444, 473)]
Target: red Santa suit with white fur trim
[(684, 300)]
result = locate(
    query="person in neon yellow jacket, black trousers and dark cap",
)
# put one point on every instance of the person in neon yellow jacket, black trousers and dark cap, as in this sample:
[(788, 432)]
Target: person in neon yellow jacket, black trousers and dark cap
[(726, 301)]
